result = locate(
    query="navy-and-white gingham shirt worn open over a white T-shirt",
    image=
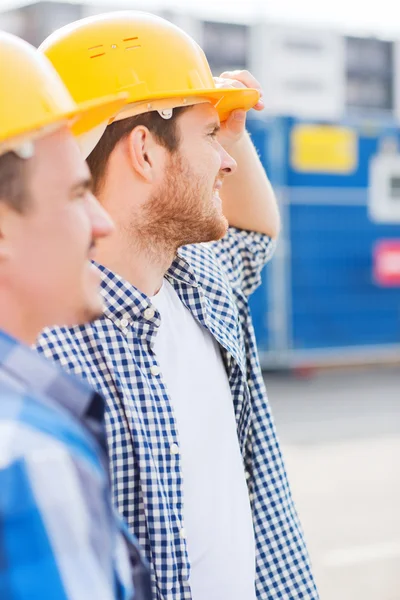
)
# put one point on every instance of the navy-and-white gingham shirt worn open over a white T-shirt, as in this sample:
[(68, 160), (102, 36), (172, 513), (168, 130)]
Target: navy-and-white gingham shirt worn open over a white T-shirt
[(116, 355)]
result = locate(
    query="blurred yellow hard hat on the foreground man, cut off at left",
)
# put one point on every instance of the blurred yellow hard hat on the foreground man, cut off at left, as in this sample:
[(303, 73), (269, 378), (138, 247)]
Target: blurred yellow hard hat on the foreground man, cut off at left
[(33, 98)]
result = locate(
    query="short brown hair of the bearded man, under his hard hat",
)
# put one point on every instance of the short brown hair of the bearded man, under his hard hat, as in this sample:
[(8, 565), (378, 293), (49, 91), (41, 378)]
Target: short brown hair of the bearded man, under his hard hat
[(164, 130)]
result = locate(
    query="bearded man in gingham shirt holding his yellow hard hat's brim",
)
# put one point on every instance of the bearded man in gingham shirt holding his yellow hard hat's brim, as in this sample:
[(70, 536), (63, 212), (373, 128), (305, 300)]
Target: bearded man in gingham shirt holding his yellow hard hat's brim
[(196, 466)]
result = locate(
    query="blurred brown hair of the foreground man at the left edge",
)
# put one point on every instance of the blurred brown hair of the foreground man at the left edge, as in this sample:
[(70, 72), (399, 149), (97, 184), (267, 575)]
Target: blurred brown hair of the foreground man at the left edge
[(13, 177)]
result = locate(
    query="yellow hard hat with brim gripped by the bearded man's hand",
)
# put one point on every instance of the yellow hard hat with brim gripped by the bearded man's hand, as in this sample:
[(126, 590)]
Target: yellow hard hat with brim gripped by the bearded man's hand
[(141, 54)]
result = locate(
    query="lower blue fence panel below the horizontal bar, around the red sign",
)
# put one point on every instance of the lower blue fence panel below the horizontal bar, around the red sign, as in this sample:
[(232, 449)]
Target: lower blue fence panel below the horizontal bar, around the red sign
[(335, 301)]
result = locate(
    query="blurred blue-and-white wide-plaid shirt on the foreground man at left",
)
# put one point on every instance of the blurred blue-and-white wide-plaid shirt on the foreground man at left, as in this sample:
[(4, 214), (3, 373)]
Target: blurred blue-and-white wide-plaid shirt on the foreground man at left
[(59, 536)]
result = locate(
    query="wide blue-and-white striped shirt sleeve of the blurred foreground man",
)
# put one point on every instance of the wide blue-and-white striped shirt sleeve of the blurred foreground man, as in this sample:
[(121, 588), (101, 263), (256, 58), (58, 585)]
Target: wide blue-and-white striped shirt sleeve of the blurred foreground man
[(55, 535)]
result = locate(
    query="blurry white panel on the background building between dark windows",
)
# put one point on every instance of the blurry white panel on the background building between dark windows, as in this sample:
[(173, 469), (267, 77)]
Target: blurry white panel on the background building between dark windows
[(302, 71)]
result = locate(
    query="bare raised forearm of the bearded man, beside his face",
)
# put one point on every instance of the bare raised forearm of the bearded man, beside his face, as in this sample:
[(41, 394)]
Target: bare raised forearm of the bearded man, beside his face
[(248, 198)]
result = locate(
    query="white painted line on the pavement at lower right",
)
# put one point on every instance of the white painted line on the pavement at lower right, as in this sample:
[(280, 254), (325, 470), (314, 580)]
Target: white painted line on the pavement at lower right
[(360, 554)]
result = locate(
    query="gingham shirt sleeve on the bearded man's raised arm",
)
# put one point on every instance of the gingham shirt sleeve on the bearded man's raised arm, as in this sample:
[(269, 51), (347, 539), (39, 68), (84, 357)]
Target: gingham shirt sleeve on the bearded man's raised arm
[(243, 255)]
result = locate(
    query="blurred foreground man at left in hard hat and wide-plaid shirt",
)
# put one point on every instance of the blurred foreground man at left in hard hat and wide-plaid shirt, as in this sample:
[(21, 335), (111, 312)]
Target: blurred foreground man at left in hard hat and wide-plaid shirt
[(59, 537)]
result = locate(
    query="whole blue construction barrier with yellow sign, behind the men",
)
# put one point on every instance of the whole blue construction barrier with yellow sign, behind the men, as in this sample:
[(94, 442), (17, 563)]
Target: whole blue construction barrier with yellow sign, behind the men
[(319, 293)]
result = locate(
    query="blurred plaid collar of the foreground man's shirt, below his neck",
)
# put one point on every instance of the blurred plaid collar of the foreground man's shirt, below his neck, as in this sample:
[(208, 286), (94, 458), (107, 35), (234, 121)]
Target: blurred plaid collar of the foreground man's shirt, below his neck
[(43, 379)]
